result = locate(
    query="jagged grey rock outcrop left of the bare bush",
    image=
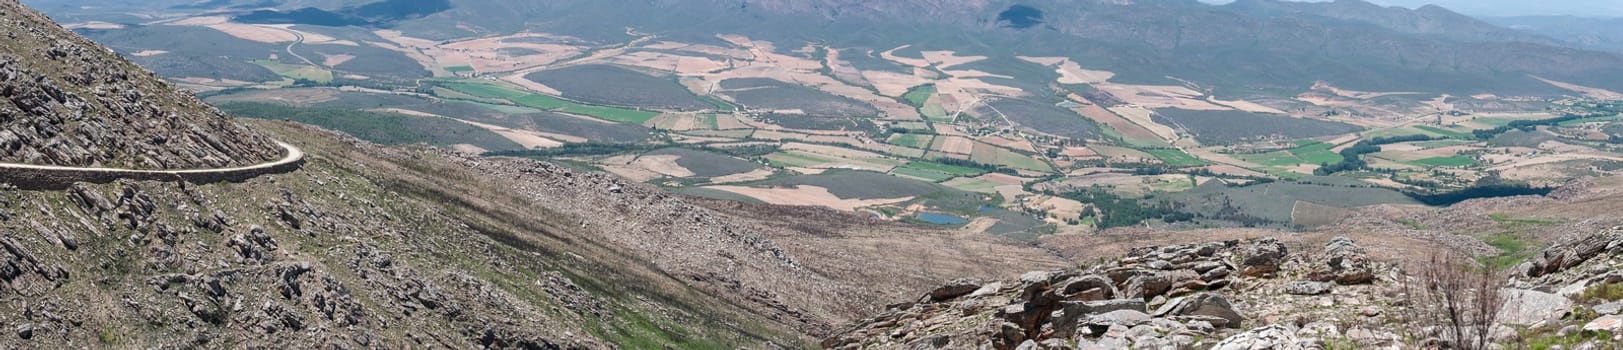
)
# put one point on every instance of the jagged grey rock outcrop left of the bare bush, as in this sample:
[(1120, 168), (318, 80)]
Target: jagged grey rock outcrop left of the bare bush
[(1199, 296)]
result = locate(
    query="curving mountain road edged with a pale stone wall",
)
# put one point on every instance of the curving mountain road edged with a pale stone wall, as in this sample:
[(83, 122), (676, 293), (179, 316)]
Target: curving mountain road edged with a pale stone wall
[(58, 177)]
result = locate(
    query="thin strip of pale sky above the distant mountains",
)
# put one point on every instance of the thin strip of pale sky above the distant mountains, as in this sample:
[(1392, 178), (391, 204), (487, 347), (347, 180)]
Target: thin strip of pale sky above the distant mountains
[(1513, 7)]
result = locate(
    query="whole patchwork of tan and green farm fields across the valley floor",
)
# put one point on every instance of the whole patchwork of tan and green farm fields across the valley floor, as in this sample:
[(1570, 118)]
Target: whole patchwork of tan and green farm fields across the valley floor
[(955, 134)]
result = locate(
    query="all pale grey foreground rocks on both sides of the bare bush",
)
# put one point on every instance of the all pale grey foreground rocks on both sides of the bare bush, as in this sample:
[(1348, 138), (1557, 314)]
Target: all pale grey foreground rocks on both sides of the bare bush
[(1254, 294)]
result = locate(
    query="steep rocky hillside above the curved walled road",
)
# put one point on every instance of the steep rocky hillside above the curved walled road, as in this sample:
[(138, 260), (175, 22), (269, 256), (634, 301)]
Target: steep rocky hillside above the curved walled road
[(66, 101)]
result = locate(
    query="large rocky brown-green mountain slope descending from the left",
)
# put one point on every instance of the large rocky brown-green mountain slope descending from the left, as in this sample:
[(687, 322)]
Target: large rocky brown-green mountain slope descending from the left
[(416, 247)]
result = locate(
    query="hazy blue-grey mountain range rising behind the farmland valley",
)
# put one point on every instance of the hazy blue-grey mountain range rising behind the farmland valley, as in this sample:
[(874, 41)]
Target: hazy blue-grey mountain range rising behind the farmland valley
[(1251, 48)]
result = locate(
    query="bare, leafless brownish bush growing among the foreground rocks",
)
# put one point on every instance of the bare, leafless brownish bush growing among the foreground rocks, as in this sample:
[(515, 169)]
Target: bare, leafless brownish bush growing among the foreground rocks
[(1453, 304)]
